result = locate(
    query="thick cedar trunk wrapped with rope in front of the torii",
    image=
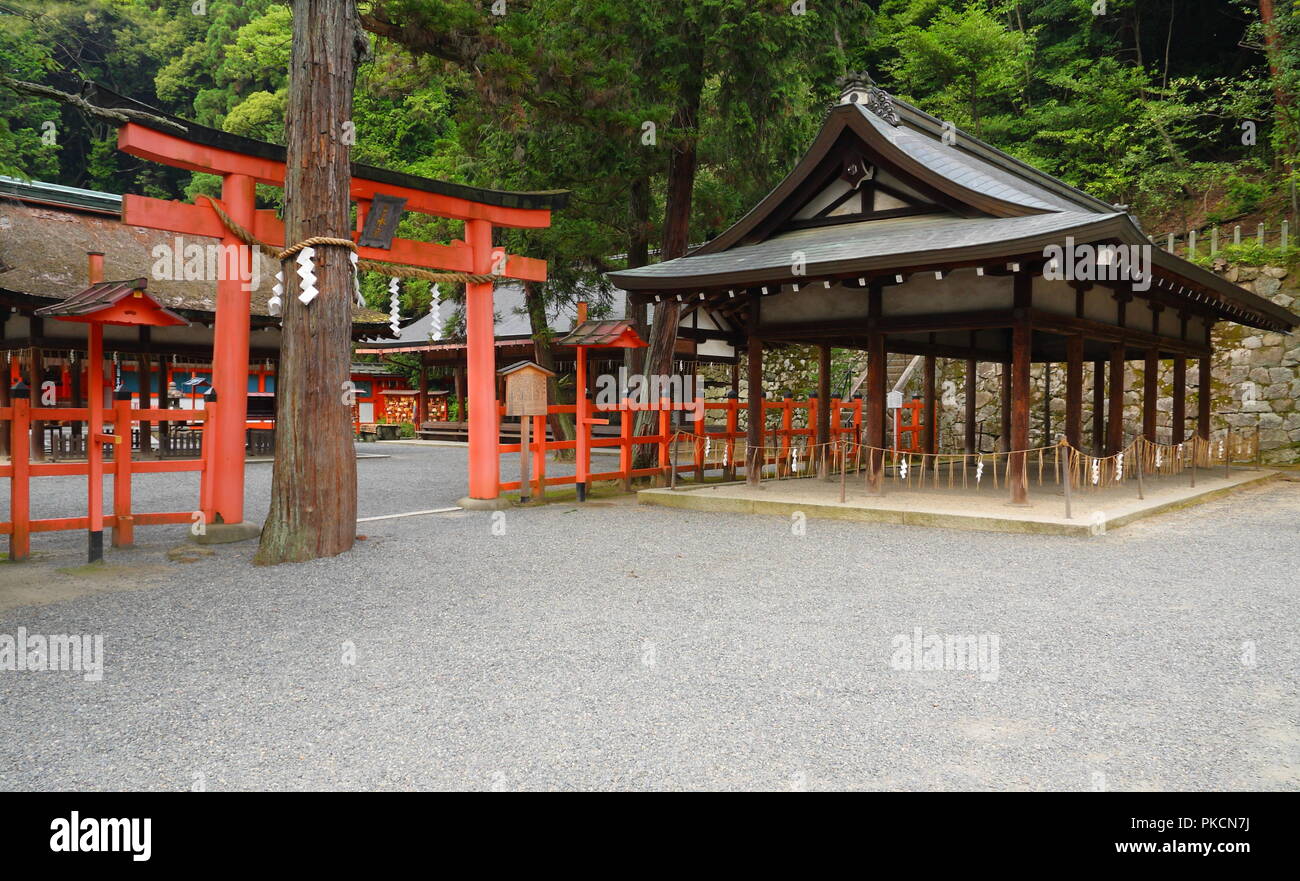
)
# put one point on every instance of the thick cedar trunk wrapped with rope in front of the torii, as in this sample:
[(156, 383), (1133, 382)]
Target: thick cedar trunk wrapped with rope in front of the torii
[(314, 484)]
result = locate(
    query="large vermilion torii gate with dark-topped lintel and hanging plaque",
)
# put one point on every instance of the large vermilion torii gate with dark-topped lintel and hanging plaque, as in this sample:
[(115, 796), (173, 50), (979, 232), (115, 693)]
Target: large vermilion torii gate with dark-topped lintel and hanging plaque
[(242, 164)]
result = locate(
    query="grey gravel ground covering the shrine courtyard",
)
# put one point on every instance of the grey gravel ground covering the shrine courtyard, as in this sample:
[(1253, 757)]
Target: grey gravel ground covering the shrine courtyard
[(612, 646)]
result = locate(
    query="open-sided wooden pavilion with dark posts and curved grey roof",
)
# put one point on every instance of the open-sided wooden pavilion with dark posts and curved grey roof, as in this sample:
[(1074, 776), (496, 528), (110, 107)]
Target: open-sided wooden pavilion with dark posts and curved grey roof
[(898, 233)]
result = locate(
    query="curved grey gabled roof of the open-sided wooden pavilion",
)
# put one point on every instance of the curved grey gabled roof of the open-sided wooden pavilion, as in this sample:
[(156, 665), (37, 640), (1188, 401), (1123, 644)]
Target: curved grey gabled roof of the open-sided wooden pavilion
[(980, 205)]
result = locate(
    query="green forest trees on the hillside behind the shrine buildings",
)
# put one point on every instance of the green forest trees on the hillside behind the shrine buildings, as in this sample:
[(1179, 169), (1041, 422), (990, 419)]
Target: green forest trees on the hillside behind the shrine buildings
[(669, 119)]
